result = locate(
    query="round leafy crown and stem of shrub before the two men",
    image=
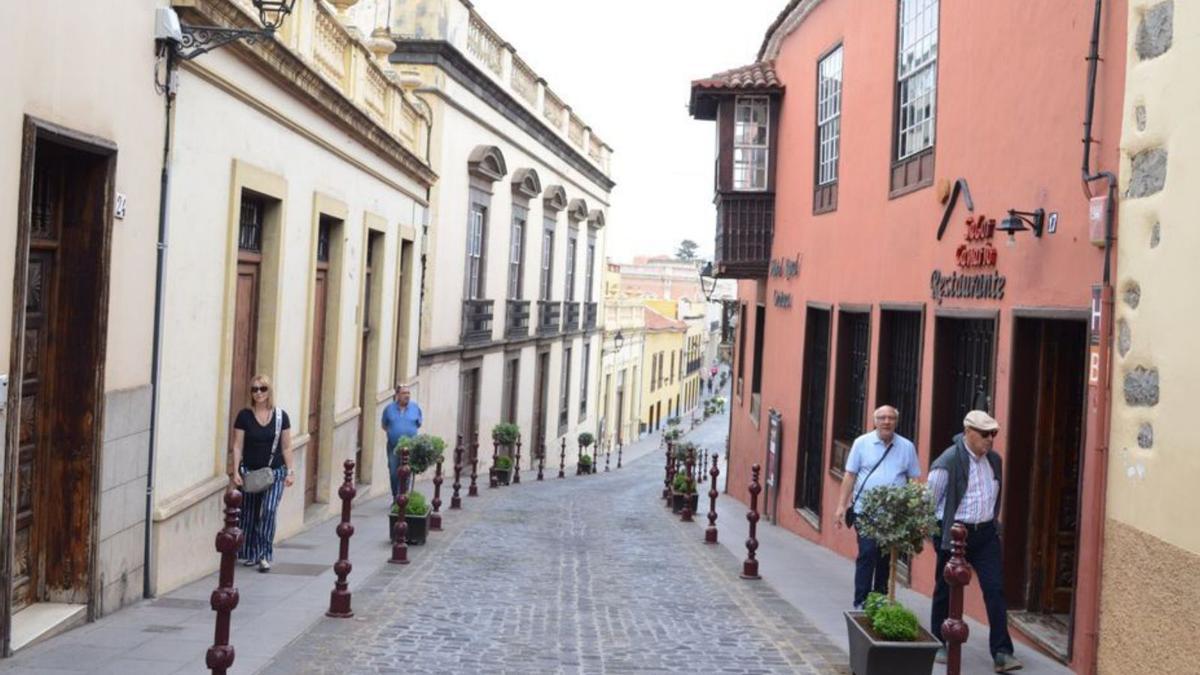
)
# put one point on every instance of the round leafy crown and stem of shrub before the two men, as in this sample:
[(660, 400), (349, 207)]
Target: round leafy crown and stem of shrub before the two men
[(899, 518)]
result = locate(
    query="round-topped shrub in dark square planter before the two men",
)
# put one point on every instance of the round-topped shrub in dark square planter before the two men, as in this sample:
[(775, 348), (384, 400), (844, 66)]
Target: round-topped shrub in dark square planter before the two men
[(887, 637)]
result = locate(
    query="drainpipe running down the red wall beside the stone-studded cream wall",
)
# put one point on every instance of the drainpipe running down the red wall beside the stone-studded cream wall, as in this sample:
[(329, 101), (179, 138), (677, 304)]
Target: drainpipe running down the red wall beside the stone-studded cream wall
[(1101, 395)]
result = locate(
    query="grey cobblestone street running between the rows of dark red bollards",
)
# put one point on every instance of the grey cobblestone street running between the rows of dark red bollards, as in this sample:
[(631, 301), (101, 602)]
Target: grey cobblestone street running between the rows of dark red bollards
[(590, 575)]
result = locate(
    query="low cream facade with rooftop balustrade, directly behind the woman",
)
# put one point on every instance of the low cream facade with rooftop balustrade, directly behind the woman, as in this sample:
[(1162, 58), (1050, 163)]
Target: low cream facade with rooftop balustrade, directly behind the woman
[(298, 198)]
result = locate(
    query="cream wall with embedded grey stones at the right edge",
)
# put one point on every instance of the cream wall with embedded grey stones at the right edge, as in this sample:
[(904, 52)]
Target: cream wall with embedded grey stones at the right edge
[(1151, 541)]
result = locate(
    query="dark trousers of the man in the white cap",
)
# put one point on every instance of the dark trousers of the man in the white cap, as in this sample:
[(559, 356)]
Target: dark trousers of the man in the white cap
[(987, 559)]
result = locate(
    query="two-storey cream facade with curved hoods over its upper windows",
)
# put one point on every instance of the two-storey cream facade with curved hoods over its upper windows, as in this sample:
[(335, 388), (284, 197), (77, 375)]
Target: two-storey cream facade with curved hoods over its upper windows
[(511, 325)]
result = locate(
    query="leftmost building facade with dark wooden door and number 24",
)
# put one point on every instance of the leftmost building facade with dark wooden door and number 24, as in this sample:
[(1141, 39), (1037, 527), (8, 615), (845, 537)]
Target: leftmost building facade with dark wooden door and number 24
[(82, 152)]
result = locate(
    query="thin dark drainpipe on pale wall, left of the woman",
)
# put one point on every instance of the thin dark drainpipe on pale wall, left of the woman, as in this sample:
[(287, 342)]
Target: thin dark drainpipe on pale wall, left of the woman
[(157, 345)]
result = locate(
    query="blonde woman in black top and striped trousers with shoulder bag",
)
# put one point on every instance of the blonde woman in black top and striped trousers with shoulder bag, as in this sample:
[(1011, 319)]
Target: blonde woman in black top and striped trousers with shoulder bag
[(262, 455)]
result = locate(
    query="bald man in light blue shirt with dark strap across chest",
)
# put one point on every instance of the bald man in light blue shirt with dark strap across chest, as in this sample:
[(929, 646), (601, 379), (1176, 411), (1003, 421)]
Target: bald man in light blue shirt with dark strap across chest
[(879, 458)]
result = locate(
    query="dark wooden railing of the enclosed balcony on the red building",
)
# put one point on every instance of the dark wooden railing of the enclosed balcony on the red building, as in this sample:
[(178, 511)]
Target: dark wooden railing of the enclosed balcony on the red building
[(746, 224)]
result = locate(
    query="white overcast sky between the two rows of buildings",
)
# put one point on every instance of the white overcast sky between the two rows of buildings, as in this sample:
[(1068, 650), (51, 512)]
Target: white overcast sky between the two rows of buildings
[(626, 67)]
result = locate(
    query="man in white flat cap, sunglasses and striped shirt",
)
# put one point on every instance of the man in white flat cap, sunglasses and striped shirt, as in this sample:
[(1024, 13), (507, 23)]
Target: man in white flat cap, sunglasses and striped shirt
[(965, 483)]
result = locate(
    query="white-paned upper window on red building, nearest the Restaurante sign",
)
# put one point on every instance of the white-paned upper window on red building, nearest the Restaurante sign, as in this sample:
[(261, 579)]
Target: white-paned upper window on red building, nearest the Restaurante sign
[(916, 76)]
